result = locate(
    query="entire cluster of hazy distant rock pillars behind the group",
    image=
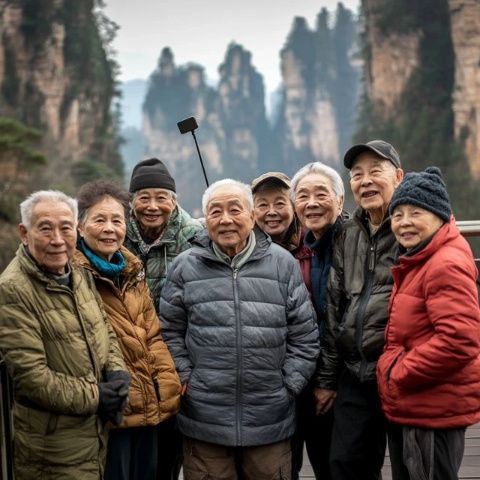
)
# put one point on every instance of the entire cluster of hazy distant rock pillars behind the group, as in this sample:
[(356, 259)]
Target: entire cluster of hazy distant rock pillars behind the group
[(313, 121)]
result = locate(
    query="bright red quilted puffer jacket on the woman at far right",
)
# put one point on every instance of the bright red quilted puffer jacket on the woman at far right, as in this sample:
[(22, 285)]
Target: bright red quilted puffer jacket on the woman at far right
[(429, 373)]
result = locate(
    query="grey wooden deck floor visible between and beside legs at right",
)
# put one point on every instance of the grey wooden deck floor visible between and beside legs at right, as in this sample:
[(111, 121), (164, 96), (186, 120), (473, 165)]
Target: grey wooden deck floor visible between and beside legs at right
[(470, 469)]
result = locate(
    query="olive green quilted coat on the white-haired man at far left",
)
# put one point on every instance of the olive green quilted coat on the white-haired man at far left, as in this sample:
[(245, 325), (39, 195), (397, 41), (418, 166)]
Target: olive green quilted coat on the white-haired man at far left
[(57, 345)]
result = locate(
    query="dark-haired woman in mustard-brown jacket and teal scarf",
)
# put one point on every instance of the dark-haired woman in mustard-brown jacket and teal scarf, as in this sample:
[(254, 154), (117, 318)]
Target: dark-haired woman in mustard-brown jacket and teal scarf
[(154, 393)]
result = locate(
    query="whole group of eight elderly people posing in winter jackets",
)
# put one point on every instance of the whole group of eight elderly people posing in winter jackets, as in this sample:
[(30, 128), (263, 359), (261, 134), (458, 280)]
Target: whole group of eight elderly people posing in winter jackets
[(140, 342)]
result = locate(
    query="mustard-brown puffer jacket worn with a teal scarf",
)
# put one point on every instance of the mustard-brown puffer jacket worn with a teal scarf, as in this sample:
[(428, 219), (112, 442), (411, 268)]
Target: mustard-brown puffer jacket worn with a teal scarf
[(154, 393)]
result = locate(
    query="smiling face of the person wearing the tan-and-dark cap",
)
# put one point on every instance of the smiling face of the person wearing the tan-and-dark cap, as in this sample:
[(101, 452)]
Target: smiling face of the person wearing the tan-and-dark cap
[(273, 211)]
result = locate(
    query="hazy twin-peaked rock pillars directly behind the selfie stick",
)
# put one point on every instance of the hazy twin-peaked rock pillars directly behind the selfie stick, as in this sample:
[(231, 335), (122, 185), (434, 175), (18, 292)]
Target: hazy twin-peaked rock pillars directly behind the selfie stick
[(232, 119)]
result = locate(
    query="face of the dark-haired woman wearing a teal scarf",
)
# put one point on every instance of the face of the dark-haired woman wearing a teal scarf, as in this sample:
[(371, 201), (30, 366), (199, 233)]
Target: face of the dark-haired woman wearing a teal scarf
[(103, 228)]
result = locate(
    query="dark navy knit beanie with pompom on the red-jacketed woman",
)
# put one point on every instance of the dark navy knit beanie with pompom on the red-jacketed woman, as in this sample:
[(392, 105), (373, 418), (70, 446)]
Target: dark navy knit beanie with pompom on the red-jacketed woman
[(426, 190)]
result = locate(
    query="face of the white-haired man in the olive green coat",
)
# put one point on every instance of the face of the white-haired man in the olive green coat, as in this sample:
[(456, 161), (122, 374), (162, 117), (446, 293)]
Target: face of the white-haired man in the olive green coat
[(52, 235)]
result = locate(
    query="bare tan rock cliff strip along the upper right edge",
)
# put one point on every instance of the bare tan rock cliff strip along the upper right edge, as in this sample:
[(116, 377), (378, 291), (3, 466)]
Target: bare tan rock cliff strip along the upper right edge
[(466, 96)]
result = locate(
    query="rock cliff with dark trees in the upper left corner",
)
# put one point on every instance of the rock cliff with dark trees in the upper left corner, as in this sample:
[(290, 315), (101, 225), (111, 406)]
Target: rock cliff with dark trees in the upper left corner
[(55, 76)]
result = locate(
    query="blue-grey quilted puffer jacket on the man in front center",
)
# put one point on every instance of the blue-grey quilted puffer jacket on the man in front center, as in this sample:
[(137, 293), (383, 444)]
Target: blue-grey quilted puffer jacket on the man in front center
[(244, 341)]
